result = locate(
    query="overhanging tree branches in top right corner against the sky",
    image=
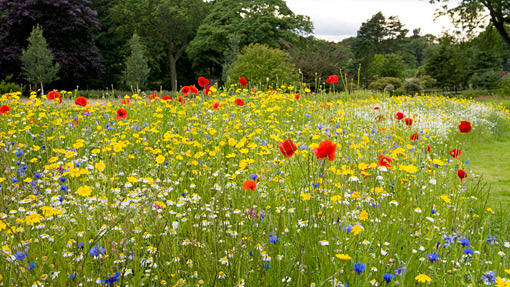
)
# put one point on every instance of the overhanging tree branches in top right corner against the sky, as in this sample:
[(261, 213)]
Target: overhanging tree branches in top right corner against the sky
[(471, 13)]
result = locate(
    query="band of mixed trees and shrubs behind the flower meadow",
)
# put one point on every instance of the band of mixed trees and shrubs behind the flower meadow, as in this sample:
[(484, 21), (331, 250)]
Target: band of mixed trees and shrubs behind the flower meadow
[(167, 44)]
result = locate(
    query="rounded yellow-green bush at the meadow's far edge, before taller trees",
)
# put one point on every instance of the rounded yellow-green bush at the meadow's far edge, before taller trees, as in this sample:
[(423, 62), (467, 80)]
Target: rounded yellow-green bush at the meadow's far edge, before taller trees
[(261, 64)]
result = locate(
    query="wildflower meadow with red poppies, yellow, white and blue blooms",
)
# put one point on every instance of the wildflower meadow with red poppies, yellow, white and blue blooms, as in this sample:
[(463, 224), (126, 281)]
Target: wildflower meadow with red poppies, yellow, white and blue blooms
[(240, 186)]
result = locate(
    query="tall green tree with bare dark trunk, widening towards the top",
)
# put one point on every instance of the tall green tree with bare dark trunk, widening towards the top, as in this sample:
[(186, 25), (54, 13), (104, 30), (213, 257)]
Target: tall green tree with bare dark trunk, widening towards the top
[(168, 25)]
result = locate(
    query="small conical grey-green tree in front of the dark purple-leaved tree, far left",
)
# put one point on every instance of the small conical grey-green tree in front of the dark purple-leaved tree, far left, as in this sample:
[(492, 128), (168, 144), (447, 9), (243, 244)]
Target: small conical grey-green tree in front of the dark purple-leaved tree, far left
[(37, 60)]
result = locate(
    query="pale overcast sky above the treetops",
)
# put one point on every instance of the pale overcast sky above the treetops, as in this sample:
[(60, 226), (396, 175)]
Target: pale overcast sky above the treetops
[(335, 20)]
